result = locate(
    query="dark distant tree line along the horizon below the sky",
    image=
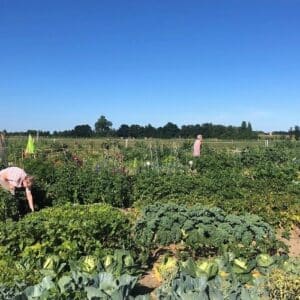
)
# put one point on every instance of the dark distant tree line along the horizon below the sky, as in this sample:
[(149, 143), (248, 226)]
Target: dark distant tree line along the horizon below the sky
[(103, 128)]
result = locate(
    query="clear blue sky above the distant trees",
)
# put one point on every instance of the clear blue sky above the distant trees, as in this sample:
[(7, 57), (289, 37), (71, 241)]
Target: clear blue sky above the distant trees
[(65, 63)]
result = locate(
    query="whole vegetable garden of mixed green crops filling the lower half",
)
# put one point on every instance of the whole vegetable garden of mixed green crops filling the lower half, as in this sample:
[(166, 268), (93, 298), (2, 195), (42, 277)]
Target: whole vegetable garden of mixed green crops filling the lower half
[(201, 228)]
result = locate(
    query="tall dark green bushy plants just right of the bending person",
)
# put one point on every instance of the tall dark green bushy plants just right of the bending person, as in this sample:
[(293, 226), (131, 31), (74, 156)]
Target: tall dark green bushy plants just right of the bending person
[(65, 182)]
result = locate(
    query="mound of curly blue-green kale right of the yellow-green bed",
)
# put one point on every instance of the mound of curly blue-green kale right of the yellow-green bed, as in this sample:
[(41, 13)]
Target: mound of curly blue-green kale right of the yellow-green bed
[(205, 231)]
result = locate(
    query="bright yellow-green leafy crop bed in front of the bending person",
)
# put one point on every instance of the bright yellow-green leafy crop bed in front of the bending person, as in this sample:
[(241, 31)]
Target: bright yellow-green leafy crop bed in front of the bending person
[(67, 232)]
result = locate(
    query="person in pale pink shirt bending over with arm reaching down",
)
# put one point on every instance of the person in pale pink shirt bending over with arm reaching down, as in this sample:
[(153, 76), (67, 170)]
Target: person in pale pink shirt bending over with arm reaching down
[(14, 177)]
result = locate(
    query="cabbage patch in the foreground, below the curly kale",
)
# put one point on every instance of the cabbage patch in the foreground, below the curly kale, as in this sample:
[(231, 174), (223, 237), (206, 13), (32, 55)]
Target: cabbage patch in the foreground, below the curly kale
[(224, 277)]
